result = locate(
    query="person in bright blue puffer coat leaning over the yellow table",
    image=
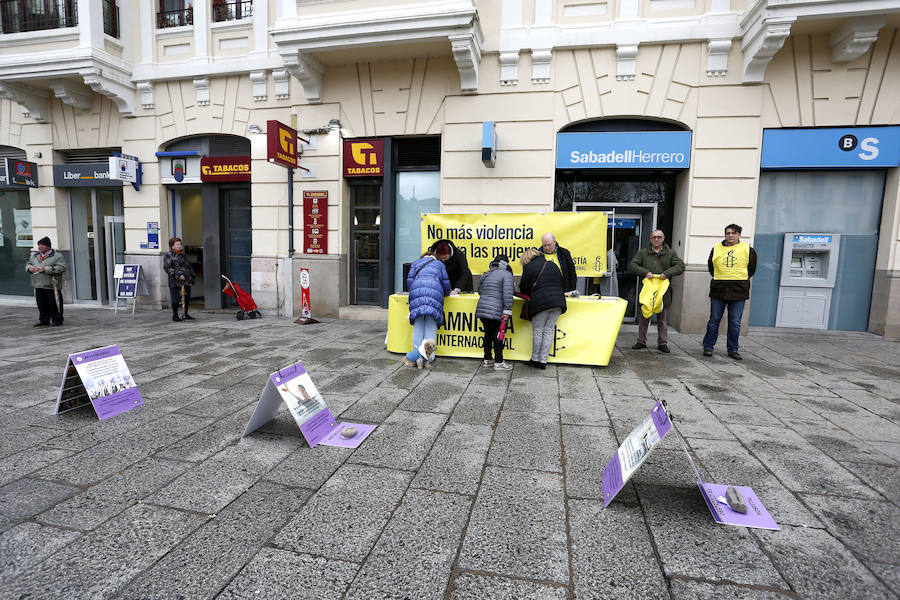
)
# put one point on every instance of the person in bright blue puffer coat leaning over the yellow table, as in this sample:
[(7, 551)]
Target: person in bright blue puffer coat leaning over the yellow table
[(427, 284)]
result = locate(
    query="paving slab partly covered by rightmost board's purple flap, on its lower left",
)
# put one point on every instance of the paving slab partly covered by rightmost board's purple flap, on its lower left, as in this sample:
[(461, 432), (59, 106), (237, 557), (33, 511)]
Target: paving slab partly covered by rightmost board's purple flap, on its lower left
[(691, 544)]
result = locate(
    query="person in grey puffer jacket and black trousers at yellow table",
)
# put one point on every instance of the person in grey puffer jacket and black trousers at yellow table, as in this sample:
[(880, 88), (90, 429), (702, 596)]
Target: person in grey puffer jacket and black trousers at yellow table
[(495, 289)]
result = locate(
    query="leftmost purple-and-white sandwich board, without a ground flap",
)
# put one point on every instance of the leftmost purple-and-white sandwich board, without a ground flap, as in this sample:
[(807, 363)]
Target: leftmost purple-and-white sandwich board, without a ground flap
[(100, 378)]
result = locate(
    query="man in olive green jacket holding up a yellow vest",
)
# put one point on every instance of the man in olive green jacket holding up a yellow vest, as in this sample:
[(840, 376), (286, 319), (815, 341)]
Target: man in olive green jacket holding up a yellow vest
[(656, 261)]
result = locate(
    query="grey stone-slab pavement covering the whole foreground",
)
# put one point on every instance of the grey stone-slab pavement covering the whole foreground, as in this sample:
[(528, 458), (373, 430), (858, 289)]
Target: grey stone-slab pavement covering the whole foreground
[(475, 484)]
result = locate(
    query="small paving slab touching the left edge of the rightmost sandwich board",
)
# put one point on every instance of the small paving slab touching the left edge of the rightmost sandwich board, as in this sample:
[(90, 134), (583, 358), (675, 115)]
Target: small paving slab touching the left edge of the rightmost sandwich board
[(588, 449)]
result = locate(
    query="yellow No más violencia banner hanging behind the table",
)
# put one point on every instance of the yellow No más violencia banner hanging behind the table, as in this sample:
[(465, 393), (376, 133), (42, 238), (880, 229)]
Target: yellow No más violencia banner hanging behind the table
[(482, 237)]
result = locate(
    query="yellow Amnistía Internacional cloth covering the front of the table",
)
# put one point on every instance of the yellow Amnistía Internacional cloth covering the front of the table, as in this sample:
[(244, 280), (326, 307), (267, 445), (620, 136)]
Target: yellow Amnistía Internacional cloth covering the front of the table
[(585, 334)]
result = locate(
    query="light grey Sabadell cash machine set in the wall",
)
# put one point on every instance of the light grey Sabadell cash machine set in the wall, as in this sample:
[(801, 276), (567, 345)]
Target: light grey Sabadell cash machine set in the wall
[(808, 268)]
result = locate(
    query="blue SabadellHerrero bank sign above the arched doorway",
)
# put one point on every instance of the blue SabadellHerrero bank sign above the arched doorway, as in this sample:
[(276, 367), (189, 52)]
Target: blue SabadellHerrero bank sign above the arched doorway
[(624, 150)]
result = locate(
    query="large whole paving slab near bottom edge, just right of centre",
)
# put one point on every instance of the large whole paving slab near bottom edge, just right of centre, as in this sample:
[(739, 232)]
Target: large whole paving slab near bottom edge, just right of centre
[(518, 527)]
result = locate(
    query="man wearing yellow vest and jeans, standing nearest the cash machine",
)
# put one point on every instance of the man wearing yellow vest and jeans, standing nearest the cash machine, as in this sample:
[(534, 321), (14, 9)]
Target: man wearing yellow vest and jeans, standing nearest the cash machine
[(731, 264)]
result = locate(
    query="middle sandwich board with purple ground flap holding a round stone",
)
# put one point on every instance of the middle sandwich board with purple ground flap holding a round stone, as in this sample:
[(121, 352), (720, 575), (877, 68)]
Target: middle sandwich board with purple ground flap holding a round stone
[(293, 386)]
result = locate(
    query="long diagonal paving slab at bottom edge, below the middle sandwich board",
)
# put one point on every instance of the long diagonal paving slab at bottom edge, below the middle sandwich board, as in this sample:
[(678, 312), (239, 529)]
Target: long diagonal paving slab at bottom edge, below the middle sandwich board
[(204, 563)]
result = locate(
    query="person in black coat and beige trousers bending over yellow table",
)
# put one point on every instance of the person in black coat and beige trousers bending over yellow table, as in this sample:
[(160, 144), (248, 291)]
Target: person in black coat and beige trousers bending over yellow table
[(542, 281)]
